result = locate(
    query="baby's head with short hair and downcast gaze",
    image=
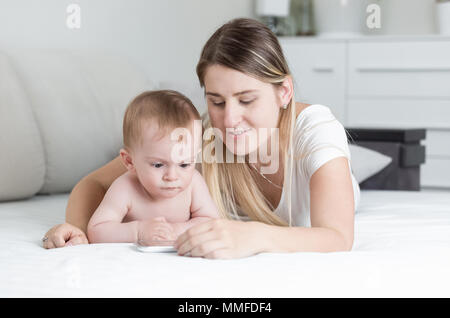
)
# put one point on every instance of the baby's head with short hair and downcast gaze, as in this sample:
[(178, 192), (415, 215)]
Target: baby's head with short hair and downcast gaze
[(164, 165)]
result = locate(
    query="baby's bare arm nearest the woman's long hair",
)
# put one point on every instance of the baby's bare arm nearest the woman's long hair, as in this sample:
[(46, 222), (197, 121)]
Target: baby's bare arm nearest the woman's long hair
[(203, 207)]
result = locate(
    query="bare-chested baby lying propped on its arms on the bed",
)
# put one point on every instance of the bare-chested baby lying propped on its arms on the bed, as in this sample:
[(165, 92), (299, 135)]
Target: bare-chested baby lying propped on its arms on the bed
[(162, 194)]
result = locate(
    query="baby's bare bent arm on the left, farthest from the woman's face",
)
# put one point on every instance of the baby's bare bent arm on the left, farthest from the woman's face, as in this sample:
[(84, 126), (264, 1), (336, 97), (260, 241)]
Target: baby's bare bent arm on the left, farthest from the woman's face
[(106, 224)]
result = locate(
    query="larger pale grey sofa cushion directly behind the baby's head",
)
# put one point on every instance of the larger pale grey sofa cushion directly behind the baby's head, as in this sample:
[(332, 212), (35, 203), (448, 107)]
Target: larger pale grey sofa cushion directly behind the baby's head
[(77, 99)]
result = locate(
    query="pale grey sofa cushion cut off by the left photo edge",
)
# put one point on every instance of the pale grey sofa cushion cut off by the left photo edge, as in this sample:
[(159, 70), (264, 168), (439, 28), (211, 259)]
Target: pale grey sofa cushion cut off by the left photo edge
[(22, 162)]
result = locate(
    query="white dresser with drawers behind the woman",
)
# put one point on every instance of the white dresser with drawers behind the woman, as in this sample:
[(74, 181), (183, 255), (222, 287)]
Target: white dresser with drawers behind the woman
[(382, 82)]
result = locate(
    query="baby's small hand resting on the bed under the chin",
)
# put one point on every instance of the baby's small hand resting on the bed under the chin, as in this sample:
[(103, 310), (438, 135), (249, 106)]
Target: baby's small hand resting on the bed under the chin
[(154, 230)]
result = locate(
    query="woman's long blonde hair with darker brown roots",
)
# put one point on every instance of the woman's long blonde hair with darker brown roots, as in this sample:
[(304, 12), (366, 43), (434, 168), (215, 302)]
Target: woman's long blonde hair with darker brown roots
[(247, 46)]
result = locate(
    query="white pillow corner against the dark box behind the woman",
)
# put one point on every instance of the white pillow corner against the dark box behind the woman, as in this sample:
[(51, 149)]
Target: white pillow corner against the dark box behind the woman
[(366, 162)]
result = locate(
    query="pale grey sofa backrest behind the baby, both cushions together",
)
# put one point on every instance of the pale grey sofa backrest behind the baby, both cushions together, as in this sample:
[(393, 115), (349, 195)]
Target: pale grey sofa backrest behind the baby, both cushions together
[(61, 116)]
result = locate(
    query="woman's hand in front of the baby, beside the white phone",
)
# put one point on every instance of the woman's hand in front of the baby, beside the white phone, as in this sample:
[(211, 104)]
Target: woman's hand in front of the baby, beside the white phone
[(221, 238)]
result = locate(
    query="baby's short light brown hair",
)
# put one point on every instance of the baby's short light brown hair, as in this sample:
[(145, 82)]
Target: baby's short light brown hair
[(166, 108)]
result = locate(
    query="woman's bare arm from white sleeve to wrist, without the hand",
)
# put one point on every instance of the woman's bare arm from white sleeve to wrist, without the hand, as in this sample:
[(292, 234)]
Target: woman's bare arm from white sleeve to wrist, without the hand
[(332, 215)]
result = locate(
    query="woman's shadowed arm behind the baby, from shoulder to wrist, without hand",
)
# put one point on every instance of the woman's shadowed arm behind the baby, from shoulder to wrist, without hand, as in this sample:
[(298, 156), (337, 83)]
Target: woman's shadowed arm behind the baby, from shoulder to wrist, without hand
[(89, 192)]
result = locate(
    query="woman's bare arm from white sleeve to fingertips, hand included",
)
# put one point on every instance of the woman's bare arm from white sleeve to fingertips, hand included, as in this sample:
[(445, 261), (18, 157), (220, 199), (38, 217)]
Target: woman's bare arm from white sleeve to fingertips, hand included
[(332, 217)]
